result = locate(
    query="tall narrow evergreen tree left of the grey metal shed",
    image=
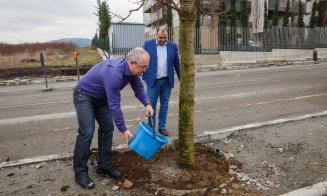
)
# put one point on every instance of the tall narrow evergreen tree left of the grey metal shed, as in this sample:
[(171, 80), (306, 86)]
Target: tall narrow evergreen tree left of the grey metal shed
[(104, 18)]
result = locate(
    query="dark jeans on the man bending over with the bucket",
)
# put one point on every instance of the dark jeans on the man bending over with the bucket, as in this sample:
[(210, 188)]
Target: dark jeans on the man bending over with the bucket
[(88, 110)]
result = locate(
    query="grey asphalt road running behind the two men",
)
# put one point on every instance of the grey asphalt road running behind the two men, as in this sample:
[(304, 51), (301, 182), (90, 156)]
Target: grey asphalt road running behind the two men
[(35, 123)]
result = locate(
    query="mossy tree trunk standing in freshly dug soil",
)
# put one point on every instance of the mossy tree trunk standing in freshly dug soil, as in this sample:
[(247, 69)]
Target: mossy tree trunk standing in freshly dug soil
[(186, 98)]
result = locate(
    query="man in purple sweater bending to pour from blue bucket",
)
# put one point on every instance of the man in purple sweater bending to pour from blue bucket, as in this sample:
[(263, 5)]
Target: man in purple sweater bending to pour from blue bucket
[(97, 97)]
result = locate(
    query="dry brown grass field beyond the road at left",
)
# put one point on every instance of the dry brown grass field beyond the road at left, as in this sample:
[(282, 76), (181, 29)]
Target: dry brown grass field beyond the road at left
[(56, 55)]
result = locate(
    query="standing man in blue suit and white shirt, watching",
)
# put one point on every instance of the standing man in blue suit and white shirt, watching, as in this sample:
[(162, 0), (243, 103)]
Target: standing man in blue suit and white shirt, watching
[(159, 76)]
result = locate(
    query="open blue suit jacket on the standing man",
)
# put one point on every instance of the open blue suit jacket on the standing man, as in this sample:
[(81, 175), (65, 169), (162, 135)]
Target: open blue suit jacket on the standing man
[(172, 62)]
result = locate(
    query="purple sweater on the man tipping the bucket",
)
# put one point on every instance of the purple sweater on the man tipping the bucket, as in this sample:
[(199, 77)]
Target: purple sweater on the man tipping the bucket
[(106, 79)]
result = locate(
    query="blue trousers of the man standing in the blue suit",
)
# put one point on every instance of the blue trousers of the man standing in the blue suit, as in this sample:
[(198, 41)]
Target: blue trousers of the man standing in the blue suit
[(161, 89)]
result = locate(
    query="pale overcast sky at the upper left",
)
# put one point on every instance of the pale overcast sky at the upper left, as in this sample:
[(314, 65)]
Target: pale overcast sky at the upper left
[(45, 20)]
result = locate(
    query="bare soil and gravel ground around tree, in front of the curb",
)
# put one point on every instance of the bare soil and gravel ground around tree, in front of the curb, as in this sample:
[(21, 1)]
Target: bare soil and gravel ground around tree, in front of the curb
[(265, 161)]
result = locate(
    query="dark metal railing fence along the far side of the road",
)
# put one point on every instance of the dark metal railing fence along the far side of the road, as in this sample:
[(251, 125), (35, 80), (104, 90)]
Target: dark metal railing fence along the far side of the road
[(212, 39)]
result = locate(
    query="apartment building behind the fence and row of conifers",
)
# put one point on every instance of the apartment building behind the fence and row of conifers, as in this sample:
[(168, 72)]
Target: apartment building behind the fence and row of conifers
[(155, 14)]
